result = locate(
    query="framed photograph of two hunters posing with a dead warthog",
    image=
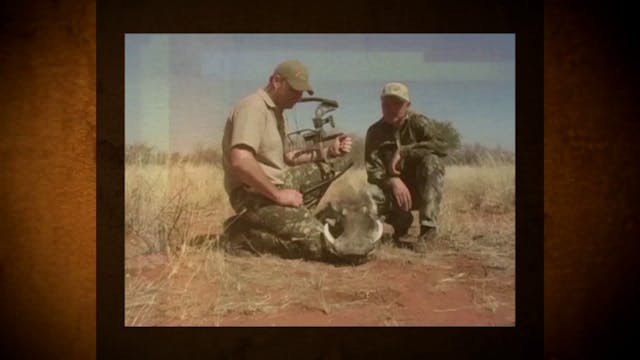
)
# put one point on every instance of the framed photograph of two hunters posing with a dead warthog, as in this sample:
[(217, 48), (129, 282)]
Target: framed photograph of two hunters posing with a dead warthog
[(320, 179)]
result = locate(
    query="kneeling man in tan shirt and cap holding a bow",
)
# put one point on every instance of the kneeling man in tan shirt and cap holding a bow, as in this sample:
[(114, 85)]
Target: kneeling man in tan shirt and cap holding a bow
[(265, 181)]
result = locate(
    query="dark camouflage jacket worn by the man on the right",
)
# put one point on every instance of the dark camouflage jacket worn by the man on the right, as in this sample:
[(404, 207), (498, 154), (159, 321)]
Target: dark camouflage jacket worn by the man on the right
[(416, 135)]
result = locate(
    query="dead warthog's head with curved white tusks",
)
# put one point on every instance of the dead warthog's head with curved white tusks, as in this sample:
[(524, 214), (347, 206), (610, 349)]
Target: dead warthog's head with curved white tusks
[(351, 231)]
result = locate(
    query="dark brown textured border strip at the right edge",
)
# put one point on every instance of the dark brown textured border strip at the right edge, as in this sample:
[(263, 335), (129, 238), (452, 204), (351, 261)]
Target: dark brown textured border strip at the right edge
[(590, 180)]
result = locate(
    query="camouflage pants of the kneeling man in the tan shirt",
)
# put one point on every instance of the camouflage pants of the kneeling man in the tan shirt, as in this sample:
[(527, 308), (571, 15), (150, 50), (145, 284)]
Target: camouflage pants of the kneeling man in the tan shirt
[(266, 227)]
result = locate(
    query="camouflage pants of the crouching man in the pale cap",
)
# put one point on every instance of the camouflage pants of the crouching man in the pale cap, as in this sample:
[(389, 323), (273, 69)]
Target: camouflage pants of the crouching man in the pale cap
[(423, 173)]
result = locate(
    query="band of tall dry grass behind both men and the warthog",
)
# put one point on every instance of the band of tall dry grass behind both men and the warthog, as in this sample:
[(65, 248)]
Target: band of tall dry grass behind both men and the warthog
[(163, 202)]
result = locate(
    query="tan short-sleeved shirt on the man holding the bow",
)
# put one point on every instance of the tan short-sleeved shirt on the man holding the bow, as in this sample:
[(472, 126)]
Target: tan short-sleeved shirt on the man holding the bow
[(256, 123)]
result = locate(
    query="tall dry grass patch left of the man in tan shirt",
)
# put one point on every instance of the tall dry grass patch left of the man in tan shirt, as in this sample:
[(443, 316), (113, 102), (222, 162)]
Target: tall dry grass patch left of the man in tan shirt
[(163, 202)]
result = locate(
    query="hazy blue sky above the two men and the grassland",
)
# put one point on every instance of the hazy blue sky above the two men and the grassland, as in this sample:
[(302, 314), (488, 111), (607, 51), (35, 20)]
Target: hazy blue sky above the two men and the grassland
[(179, 88)]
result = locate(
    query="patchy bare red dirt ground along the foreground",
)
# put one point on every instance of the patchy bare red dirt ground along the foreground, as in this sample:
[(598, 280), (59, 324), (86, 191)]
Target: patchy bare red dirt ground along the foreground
[(407, 293)]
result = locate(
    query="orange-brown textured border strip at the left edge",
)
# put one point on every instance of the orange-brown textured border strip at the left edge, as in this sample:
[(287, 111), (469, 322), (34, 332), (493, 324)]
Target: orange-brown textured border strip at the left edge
[(47, 179)]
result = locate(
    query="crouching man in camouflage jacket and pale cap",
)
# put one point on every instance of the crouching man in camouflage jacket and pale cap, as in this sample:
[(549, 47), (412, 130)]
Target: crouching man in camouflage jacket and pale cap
[(402, 158)]
